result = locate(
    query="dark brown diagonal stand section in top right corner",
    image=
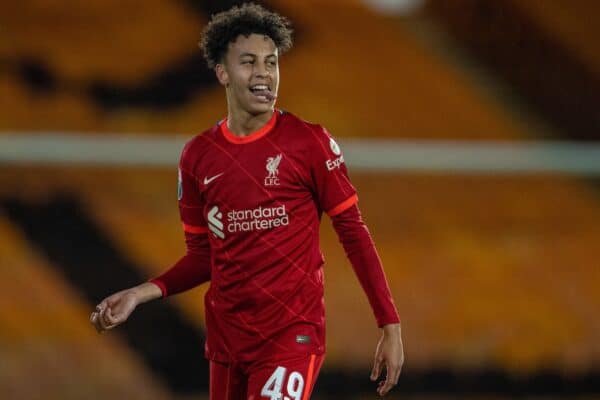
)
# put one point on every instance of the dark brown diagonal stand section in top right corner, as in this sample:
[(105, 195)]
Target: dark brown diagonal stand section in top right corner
[(519, 45)]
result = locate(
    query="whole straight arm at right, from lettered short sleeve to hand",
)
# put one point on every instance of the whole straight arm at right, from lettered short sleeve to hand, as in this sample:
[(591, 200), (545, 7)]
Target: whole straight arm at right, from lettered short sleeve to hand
[(336, 196)]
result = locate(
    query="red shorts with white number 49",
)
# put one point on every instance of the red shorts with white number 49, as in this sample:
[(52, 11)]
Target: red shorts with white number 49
[(280, 379)]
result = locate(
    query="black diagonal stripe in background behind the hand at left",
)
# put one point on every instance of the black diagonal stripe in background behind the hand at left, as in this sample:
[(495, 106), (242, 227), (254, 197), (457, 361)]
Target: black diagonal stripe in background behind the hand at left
[(62, 229)]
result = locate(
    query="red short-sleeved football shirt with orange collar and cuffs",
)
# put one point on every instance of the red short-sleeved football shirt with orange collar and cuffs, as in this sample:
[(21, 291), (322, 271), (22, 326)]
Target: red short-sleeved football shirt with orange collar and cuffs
[(260, 199)]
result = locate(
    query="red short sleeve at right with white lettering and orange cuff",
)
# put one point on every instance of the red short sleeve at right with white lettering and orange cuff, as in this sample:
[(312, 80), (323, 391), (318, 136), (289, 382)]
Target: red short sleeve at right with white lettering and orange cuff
[(335, 193)]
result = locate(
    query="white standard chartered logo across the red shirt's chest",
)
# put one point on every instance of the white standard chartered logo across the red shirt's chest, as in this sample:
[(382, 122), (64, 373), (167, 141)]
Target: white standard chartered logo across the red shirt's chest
[(237, 221)]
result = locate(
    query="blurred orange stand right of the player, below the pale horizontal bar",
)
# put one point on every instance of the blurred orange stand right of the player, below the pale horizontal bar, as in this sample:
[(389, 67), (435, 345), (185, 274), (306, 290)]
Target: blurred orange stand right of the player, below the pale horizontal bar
[(463, 254)]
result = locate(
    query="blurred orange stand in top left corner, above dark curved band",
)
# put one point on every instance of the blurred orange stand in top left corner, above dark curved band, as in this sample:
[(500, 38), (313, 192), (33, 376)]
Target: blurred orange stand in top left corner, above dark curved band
[(108, 40)]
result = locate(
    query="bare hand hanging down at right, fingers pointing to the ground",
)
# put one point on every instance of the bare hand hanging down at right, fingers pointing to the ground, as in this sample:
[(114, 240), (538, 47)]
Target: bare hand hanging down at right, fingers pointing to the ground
[(389, 353)]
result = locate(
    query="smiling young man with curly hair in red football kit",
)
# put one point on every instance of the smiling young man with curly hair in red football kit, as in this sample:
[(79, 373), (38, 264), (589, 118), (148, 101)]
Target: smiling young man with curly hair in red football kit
[(252, 190)]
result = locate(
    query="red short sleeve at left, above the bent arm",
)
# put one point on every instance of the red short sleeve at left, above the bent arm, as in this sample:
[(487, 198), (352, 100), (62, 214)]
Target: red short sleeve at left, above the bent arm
[(191, 206)]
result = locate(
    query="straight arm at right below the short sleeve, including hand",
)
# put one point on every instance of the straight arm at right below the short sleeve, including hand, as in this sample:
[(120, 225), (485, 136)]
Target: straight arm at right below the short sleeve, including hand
[(360, 249)]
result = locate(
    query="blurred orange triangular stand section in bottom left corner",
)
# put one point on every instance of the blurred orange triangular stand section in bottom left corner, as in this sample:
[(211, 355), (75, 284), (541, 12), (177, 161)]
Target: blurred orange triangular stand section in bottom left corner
[(46, 345)]
